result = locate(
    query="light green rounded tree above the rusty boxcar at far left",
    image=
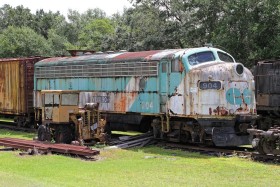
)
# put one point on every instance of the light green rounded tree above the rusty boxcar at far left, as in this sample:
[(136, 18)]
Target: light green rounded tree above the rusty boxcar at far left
[(22, 42)]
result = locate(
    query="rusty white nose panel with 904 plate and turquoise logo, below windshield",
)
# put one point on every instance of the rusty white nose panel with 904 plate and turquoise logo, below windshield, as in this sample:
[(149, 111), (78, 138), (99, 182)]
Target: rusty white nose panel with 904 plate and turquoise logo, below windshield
[(236, 96)]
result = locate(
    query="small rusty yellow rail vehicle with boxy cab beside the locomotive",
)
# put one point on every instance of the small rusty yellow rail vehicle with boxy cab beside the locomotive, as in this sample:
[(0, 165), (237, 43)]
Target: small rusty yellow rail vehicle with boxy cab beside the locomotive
[(62, 117)]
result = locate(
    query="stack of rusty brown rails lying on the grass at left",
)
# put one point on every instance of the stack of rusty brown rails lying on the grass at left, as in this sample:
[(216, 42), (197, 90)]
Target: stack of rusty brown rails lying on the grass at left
[(47, 147)]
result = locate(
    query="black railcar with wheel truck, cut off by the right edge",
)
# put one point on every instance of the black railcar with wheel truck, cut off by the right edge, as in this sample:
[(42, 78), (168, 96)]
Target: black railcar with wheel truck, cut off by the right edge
[(267, 130)]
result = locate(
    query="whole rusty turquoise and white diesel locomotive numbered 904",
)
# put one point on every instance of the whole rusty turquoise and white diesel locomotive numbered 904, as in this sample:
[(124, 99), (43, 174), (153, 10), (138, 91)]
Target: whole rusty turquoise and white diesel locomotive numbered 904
[(196, 95)]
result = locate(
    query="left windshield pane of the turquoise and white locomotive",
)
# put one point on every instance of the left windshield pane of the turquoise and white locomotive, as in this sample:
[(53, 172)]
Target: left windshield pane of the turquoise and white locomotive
[(201, 57)]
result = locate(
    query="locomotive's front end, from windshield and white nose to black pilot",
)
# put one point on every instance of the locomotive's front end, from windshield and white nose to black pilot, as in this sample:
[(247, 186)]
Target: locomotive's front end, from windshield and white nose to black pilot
[(220, 96)]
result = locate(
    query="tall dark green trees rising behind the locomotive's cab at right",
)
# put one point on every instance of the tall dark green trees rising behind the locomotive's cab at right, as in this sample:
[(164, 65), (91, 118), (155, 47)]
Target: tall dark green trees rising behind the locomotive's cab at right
[(248, 29)]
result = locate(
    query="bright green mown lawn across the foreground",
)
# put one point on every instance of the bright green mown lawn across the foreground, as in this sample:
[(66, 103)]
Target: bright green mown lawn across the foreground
[(150, 166)]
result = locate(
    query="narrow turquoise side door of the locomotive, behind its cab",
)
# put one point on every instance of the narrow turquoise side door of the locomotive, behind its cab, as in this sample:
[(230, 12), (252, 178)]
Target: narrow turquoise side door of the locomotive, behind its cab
[(163, 84)]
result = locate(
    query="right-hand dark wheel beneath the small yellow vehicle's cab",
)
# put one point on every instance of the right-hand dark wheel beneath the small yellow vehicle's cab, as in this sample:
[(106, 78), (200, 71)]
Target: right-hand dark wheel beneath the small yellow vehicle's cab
[(63, 134)]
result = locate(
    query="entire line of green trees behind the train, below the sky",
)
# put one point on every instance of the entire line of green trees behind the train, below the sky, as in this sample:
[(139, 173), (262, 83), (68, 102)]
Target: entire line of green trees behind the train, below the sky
[(248, 29)]
